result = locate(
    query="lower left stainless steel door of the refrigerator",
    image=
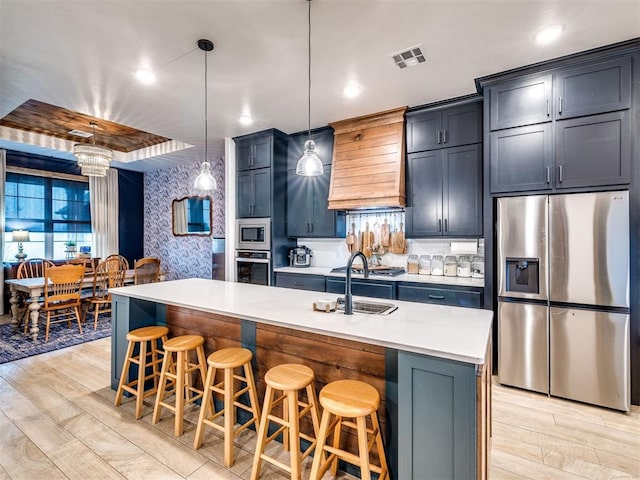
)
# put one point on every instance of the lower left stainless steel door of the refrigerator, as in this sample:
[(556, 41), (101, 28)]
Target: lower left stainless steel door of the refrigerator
[(523, 346)]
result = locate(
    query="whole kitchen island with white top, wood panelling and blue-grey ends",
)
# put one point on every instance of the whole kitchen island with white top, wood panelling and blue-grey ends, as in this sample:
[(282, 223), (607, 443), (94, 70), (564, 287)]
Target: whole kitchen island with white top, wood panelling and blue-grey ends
[(429, 362)]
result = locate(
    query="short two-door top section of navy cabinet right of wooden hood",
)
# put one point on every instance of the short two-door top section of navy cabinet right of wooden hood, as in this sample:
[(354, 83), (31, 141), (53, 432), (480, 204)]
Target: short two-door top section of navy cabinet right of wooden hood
[(442, 128)]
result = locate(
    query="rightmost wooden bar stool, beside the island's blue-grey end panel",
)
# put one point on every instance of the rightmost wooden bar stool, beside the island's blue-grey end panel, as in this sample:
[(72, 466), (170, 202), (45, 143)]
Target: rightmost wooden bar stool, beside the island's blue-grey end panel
[(349, 399)]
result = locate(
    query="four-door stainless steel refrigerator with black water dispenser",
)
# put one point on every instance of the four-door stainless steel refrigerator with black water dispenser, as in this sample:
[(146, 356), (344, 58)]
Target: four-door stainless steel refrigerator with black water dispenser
[(563, 295)]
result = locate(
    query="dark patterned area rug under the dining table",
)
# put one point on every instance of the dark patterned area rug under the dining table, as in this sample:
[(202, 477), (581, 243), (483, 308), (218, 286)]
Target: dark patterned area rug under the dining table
[(14, 346)]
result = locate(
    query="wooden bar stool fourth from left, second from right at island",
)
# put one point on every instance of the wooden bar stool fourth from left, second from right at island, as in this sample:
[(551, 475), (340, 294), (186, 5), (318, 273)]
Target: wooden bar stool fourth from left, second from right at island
[(290, 379)]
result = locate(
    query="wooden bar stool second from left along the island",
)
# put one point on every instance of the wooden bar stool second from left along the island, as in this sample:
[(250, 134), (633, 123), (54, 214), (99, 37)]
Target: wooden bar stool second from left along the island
[(179, 371)]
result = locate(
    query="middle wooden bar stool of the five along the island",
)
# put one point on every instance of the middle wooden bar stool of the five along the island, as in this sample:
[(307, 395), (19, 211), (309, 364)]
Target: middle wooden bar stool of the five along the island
[(228, 359)]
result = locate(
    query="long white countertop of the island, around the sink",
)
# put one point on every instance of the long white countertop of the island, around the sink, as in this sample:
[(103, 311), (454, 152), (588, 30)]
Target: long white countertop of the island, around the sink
[(453, 333)]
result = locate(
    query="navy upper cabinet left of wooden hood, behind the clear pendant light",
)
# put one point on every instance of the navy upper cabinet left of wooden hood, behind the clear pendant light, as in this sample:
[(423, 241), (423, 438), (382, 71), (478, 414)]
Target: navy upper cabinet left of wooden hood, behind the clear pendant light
[(307, 197)]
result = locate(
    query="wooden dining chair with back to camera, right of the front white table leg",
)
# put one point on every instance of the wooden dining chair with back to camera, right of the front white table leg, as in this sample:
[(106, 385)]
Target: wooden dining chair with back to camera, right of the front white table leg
[(62, 295)]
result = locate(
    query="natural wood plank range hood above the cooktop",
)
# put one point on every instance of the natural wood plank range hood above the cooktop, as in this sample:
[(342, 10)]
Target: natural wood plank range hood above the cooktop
[(368, 162)]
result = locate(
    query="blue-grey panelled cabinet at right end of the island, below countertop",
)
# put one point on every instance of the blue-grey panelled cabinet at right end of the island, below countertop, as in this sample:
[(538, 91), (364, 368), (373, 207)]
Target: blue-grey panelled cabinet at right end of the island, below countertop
[(442, 403)]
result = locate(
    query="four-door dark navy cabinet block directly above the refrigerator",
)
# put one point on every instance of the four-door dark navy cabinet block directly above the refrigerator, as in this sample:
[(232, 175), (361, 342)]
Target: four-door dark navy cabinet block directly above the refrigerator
[(559, 129)]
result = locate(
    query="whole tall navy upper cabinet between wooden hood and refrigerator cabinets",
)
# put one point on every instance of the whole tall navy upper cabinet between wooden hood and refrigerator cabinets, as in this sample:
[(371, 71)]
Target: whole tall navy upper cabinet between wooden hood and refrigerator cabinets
[(444, 171)]
